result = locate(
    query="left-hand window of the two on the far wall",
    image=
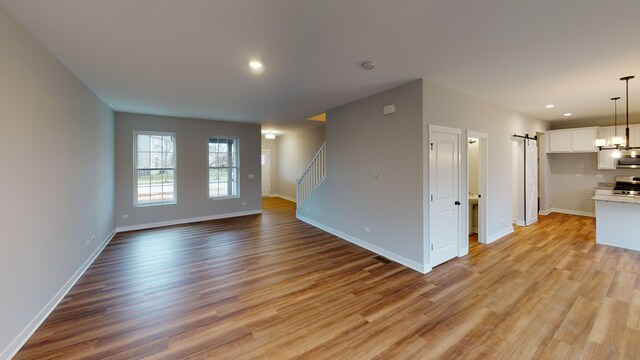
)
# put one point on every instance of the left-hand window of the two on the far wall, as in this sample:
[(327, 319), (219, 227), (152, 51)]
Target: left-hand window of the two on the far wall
[(154, 168)]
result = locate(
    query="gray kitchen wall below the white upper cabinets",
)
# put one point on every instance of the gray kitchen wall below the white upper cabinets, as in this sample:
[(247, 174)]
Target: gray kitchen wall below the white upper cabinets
[(573, 178)]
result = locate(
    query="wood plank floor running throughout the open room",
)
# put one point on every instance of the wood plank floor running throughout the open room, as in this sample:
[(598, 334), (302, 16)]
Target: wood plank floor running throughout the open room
[(272, 287)]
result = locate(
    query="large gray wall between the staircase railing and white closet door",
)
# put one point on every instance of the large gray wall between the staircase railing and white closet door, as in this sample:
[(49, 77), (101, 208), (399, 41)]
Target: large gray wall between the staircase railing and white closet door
[(361, 141)]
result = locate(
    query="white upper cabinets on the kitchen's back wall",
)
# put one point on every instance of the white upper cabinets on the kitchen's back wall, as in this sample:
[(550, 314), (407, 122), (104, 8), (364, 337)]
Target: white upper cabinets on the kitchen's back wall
[(579, 140)]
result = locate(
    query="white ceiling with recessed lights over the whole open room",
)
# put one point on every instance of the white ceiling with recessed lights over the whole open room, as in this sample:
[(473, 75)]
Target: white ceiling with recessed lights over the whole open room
[(189, 57)]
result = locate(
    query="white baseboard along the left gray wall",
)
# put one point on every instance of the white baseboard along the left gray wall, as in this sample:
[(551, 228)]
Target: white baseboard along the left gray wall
[(19, 341)]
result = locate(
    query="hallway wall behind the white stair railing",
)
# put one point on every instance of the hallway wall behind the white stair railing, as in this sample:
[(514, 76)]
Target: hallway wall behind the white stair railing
[(296, 150)]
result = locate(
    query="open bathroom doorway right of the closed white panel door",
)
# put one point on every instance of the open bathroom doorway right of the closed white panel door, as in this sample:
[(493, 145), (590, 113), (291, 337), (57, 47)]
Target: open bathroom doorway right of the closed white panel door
[(477, 187)]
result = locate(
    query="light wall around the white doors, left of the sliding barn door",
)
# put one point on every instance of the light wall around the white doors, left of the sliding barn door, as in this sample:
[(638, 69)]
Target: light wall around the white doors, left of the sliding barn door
[(448, 107)]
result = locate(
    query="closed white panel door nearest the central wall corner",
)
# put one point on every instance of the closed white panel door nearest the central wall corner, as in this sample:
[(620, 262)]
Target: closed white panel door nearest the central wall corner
[(444, 209)]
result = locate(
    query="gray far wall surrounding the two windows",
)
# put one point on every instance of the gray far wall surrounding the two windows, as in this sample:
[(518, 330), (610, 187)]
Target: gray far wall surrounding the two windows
[(192, 169)]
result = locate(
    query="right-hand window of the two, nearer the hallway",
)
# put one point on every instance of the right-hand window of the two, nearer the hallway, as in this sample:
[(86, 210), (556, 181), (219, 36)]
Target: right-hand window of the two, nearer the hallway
[(223, 167)]
